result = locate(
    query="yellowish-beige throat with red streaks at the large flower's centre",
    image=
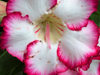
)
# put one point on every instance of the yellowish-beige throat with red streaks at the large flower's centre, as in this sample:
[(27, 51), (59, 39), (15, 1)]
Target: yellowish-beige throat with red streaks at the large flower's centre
[(50, 25)]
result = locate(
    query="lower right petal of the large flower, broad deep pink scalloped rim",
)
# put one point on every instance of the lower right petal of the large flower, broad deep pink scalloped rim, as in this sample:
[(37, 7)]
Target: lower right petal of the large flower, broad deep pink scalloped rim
[(77, 46)]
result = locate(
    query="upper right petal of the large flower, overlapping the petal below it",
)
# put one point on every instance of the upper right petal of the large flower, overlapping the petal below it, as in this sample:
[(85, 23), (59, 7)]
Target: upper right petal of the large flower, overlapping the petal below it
[(76, 12)]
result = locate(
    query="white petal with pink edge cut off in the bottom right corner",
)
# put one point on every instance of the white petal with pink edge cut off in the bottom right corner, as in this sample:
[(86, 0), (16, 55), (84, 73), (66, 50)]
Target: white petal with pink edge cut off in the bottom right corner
[(93, 70)]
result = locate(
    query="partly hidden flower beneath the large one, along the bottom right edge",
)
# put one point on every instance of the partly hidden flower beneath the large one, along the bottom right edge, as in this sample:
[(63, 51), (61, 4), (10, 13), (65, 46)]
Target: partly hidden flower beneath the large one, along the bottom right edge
[(93, 69)]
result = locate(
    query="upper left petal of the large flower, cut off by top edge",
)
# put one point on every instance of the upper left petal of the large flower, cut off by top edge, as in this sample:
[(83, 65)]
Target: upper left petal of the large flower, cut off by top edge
[(33, 8)]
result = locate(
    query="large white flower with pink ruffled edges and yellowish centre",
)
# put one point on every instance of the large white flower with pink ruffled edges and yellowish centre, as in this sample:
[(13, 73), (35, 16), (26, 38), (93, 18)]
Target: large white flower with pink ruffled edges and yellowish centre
[(50, 36)]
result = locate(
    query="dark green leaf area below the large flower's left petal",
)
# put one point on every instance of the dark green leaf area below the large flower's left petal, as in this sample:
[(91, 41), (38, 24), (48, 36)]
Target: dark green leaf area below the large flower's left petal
[(10, 65)]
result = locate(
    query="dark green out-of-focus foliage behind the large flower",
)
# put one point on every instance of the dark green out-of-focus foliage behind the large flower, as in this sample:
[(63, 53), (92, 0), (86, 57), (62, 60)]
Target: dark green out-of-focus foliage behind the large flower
[(12, 66)]
